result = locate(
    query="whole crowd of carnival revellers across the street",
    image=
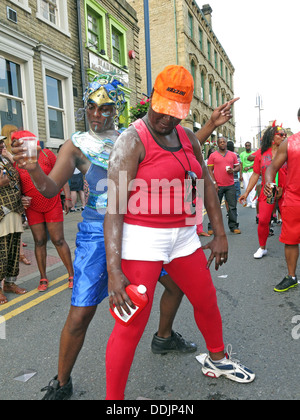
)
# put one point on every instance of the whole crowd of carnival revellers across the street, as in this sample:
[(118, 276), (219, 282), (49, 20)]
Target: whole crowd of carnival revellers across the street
[(133, 229)]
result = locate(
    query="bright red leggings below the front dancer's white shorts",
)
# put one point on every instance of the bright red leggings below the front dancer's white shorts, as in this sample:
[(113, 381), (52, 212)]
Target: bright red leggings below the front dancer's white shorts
[(194, 279)]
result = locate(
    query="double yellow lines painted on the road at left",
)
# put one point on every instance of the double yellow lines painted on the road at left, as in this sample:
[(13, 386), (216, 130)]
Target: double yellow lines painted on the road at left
[(34, 302)]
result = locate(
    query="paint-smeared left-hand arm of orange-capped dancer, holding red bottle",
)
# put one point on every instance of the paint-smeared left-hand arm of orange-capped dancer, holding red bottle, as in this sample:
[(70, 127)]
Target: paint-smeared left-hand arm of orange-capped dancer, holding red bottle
[(126, 156)]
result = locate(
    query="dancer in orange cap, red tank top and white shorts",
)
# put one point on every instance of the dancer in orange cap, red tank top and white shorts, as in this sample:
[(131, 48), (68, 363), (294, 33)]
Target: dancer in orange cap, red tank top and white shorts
[(140, 241)]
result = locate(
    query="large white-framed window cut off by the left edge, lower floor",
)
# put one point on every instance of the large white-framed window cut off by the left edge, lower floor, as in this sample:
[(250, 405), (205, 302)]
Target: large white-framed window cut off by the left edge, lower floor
[(11, 97)]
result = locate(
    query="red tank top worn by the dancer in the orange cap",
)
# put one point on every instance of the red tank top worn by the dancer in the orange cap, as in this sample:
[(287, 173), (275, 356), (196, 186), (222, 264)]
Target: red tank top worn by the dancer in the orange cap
[(157, 194)]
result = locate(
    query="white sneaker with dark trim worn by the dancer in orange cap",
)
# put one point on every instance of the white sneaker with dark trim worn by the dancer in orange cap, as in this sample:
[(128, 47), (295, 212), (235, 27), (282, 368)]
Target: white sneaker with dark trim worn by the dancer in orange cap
[(231, 369)]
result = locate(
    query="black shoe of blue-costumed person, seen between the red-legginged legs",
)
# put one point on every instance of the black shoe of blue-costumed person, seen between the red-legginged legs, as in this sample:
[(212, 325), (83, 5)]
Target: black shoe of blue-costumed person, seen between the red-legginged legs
[(175, 343)]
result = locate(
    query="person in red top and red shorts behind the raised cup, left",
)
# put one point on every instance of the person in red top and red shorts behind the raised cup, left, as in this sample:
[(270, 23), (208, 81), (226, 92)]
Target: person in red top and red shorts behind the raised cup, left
[(45, 213)]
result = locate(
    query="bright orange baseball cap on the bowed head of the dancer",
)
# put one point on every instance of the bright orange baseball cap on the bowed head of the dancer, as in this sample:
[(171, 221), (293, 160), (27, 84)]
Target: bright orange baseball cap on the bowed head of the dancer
[(173, 92)]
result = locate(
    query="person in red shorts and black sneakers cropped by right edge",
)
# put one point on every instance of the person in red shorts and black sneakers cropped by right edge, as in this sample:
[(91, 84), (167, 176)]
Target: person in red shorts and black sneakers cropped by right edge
[(289, 150)]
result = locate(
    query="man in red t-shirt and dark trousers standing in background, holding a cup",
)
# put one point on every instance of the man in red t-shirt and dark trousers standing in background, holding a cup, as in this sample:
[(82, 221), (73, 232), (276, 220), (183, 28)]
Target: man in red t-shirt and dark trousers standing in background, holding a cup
[(221, 166)]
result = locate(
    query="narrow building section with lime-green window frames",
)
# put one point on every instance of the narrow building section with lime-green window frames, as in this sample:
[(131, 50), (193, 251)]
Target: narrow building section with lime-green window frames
[(112, 45)]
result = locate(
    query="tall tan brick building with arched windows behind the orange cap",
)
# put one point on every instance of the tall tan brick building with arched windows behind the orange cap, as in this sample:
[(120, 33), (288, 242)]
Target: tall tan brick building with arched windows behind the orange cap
[(181, 33)]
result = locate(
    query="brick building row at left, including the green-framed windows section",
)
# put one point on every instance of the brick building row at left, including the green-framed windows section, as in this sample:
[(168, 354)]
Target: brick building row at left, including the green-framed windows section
[(48, 51)]
